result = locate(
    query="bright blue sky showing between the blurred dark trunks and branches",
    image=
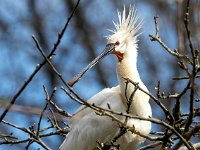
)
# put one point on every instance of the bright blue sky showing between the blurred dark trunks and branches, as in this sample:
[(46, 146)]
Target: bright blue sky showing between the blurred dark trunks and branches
[(21, 62)]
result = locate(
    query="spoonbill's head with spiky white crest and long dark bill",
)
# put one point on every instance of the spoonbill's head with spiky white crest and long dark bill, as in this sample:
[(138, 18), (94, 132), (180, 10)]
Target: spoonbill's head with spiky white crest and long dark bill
[(123, 39)]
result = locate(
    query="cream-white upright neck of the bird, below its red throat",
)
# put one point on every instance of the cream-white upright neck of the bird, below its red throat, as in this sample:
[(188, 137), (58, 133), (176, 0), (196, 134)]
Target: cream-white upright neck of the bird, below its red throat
[(127, 68)]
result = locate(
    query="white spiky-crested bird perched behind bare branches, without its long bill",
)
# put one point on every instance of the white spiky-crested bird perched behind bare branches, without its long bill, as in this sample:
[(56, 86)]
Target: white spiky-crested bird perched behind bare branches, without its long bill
[(87, 126)]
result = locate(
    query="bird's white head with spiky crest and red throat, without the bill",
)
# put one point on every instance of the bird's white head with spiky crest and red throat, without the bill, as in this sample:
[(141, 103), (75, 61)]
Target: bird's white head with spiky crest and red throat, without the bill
[(125, 33)]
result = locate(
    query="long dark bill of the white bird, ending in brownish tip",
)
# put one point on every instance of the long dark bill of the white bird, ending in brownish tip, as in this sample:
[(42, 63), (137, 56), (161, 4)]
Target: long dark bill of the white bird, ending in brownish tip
[(108, 50)]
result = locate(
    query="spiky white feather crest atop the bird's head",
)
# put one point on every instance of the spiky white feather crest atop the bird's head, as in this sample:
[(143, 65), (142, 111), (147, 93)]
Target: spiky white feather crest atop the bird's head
[(127, 26)]
